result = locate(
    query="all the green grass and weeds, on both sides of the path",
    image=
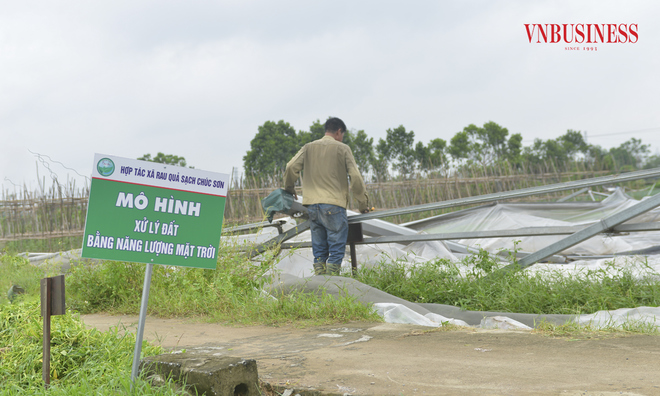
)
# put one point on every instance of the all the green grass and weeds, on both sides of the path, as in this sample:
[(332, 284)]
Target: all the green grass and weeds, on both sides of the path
[(86, 361)]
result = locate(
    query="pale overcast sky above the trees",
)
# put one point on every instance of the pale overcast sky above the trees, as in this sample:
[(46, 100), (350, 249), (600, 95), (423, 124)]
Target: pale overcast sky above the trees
[(197, 78)]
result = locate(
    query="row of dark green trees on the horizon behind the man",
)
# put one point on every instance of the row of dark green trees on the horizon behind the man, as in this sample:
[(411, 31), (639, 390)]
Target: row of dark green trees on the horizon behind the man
[(397, 155)]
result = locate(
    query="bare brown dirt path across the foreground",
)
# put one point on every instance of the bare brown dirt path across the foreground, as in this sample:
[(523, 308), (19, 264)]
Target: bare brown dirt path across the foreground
[(395, 359)]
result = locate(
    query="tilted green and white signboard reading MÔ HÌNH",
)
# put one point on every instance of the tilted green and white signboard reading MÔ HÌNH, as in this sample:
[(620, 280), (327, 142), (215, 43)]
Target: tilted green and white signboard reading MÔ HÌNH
[(154, 213)]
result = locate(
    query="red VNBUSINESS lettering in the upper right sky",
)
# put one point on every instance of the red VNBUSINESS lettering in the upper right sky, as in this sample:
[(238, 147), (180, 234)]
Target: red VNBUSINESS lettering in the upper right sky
[(582, 33)]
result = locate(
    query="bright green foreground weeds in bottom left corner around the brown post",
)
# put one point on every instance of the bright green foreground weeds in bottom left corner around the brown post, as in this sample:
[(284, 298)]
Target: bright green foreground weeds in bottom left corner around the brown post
[(83, 361)]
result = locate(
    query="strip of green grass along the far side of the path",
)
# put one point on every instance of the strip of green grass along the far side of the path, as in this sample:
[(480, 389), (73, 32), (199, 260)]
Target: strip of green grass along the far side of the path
[(233, 293)]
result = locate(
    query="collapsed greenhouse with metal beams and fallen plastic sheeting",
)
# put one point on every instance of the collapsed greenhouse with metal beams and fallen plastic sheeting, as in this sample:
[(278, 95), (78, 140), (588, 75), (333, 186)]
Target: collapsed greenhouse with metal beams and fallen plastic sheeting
[(566, 237)]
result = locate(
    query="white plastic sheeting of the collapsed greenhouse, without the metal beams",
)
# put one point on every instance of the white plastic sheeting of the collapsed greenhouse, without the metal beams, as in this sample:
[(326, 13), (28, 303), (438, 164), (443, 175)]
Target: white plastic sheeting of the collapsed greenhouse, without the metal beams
[(297, 262)]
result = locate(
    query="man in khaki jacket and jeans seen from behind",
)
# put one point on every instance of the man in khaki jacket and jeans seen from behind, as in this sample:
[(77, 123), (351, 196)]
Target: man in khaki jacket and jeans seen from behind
[(327, 164)]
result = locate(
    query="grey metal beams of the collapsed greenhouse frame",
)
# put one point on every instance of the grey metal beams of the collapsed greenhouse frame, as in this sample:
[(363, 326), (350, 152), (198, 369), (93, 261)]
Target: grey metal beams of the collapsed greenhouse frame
[(385, 232)]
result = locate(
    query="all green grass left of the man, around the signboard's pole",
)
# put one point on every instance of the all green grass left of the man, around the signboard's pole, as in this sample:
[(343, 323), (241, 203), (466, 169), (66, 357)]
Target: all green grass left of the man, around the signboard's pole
[(86, 361)]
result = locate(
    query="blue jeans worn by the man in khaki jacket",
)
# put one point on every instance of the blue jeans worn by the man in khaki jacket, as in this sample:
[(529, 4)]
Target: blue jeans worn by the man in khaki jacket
[(329, 227)]
